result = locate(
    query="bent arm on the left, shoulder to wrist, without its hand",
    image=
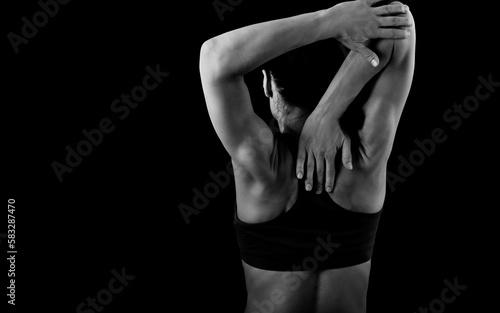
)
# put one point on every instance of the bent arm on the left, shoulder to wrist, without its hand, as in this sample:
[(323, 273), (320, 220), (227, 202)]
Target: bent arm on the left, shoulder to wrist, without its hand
[(223, 63)]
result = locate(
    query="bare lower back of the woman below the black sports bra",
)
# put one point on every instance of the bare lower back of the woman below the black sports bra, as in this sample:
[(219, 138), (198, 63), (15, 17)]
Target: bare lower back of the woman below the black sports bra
[(339, 290)]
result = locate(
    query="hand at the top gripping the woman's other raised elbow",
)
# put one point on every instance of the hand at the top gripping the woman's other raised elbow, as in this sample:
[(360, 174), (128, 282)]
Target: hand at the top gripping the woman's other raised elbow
[(355, 22)]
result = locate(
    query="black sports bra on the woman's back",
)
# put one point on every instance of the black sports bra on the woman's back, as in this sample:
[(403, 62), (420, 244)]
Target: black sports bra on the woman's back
[(314, 234)]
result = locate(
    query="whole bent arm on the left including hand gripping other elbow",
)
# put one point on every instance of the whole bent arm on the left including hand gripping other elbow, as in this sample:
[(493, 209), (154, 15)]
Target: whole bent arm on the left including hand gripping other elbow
[(225, 59)]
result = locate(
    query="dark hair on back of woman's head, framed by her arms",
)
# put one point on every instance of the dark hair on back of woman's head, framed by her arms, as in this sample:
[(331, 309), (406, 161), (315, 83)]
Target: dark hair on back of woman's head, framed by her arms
[(303, 75)]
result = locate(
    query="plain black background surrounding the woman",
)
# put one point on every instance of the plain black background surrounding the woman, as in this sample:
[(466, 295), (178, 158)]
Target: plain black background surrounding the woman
[(119, 207)]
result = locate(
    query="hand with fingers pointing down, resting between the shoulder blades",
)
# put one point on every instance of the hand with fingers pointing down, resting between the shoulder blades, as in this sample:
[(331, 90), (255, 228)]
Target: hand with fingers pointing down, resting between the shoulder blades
[(319, 142)]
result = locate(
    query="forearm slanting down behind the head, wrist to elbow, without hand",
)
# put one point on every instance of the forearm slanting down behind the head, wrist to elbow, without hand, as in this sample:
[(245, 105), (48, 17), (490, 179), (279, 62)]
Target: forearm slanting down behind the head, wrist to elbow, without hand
[(350, 79)]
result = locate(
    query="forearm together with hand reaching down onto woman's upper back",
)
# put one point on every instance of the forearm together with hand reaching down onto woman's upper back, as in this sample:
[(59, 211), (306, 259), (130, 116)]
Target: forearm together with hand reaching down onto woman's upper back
[(321, 135)]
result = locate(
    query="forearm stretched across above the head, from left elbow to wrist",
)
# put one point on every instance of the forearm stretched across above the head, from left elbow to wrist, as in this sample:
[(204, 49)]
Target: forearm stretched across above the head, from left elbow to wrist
[(240, 51)]
